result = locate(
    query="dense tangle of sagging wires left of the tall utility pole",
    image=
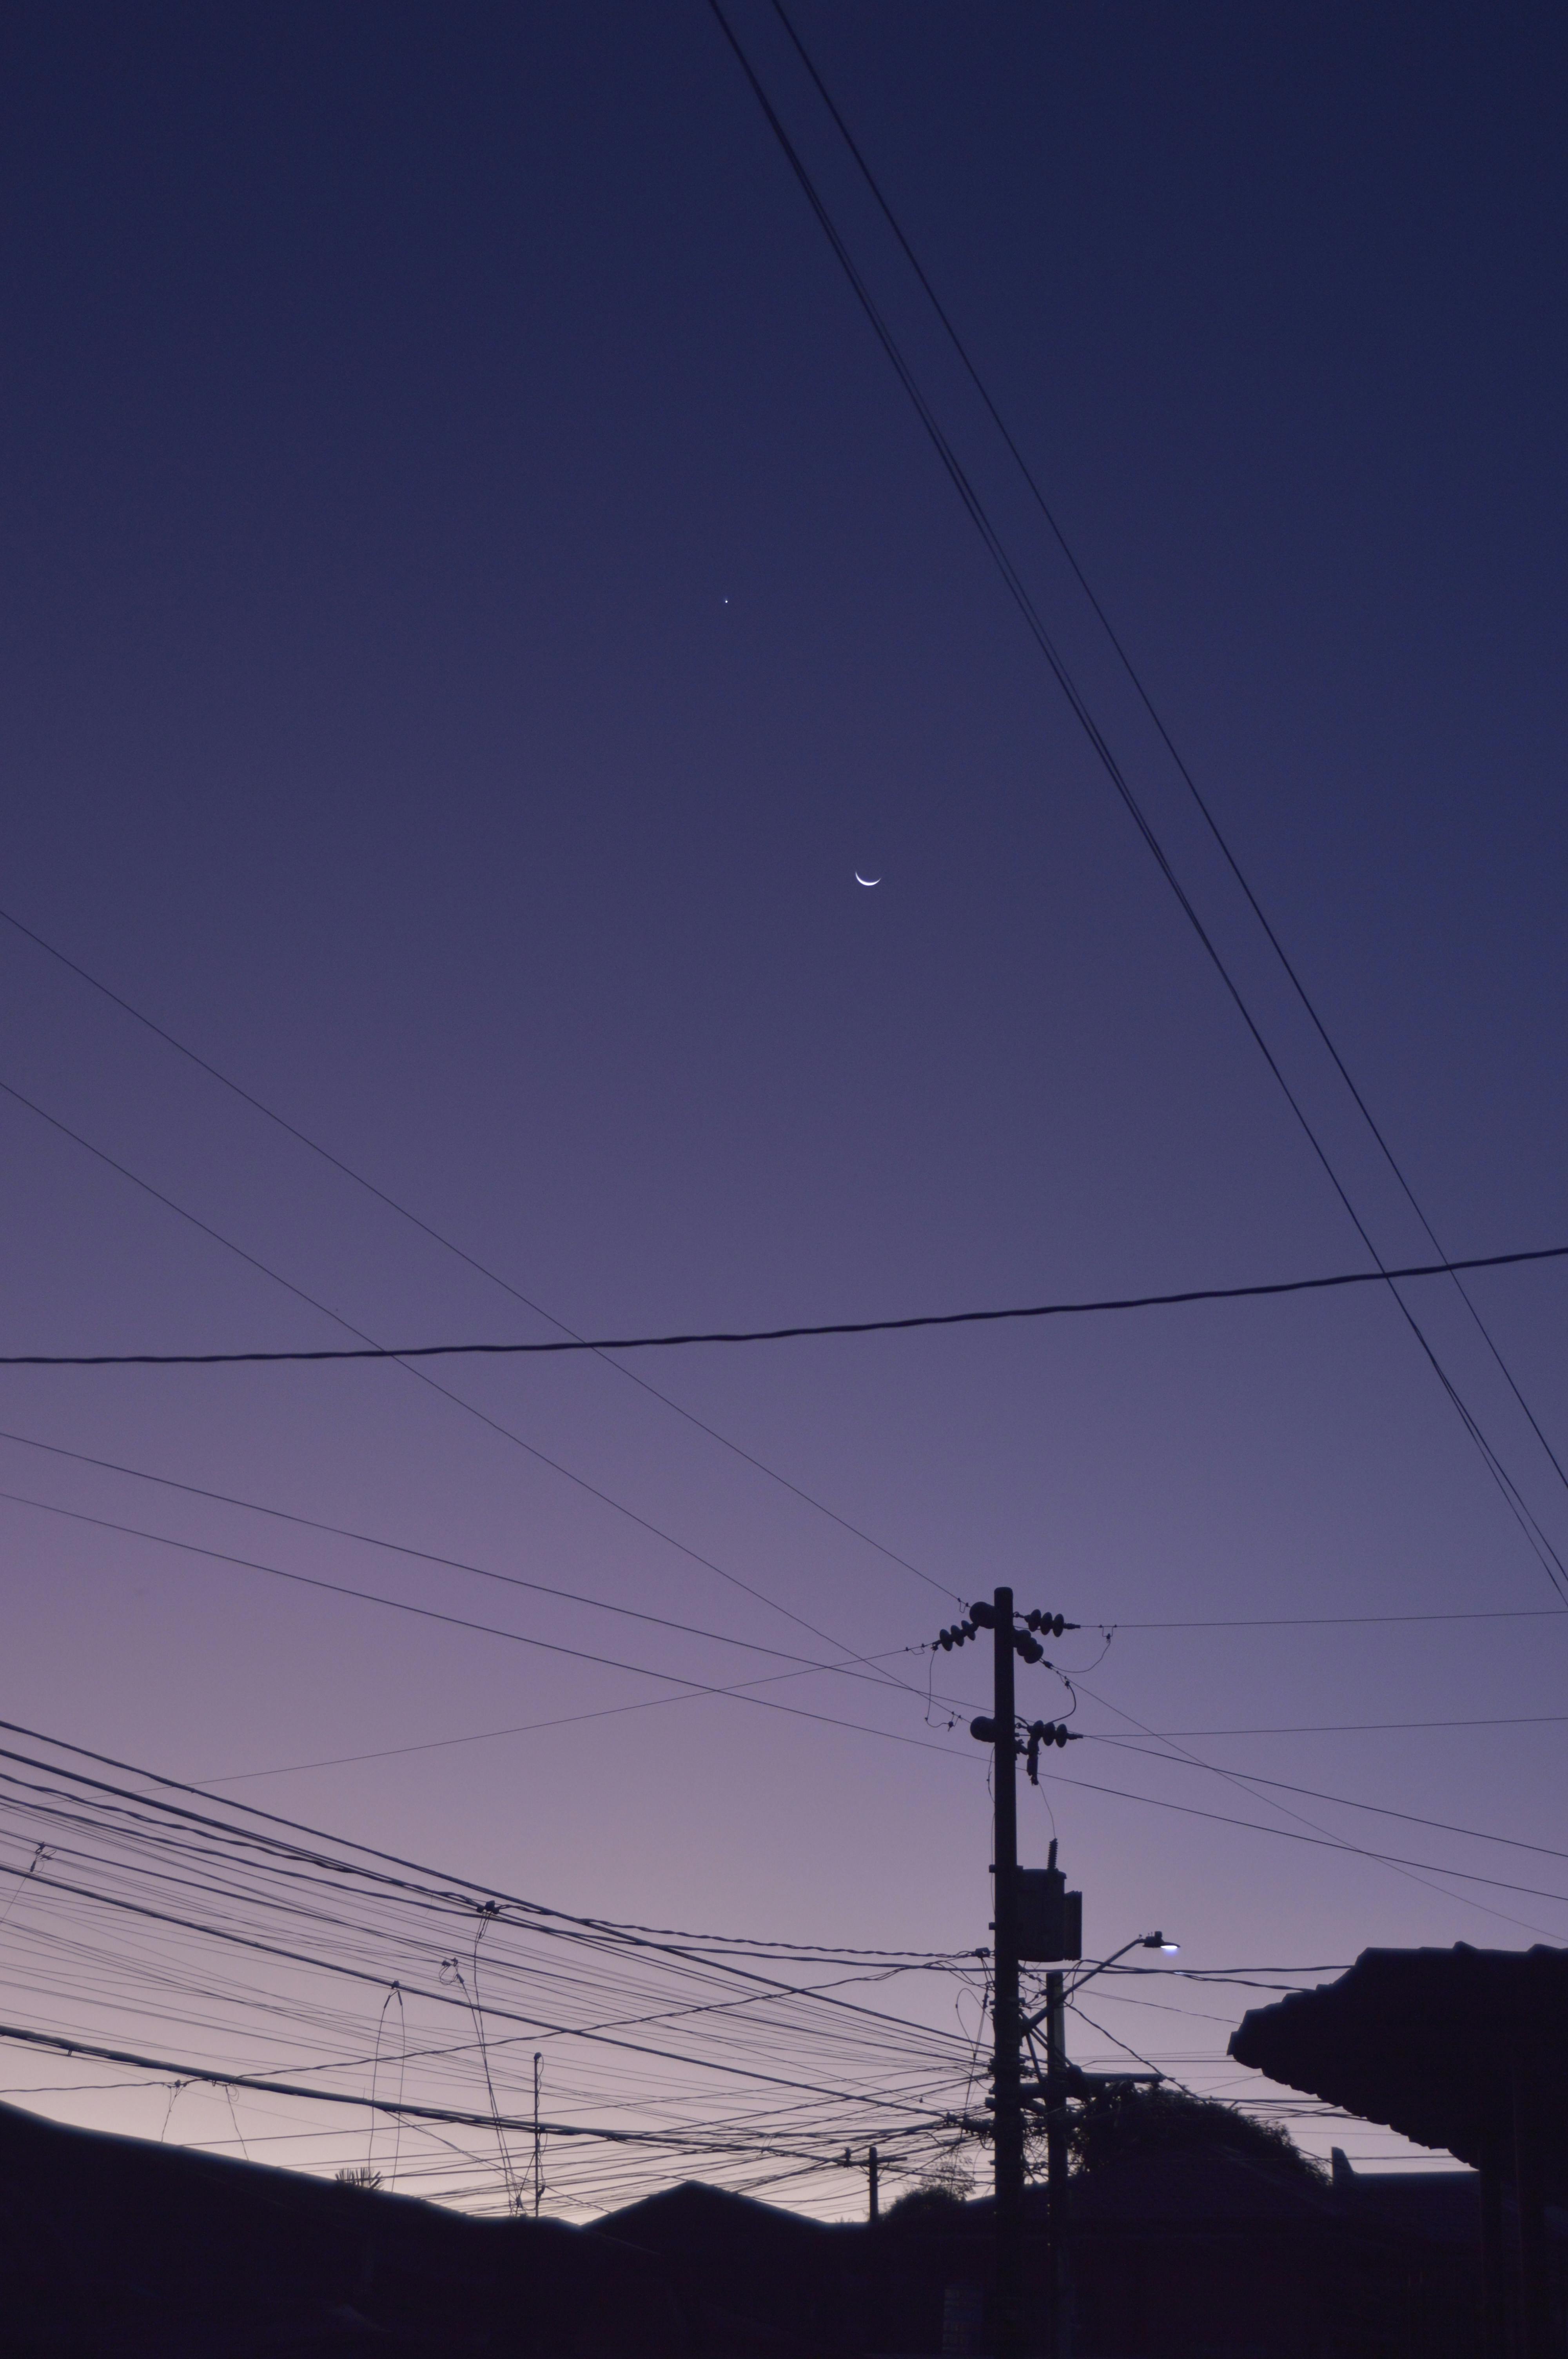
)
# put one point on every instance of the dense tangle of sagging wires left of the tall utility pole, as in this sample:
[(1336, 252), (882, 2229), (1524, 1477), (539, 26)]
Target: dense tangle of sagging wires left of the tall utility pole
[(213, 1950)]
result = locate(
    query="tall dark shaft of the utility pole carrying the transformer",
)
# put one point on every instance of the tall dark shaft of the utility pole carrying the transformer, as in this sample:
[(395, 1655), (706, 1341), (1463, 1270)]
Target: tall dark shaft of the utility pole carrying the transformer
[(1006, 2096)]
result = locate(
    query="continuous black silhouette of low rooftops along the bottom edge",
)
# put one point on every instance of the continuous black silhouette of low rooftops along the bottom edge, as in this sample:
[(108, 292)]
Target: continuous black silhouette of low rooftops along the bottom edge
[(119, 2249)]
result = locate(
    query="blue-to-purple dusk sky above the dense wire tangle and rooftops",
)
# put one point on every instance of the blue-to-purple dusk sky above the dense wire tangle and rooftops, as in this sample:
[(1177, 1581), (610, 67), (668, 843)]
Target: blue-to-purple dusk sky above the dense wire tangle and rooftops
[(475, 596)]
